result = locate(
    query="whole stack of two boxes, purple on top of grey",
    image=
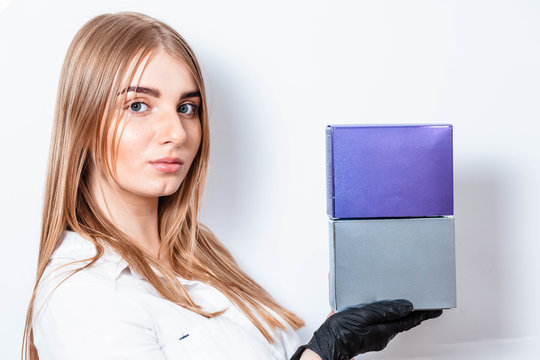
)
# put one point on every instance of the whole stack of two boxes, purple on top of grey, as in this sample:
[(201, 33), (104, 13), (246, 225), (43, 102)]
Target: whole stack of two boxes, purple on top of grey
[(390, 203)]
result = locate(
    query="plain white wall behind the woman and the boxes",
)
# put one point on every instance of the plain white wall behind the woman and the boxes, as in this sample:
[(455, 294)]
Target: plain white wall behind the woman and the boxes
[(277, 73)]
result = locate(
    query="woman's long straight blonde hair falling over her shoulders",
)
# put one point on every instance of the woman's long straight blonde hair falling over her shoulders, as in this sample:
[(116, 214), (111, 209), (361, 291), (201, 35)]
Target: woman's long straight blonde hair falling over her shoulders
[(95, 70)]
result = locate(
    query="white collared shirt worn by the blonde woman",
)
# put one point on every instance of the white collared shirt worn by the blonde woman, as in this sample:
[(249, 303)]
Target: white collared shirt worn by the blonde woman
[(108, 311)]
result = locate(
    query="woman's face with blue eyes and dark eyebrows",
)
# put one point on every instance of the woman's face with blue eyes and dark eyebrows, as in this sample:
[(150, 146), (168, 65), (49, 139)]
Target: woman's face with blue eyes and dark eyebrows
[(159, 128)]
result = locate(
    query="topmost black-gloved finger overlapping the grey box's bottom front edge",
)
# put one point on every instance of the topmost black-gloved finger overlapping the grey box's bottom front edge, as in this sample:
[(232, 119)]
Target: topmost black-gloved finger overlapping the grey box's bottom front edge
[(381, 311)]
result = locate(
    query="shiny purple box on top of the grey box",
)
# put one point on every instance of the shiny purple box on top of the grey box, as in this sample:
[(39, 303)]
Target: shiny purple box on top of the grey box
[(389, 171)]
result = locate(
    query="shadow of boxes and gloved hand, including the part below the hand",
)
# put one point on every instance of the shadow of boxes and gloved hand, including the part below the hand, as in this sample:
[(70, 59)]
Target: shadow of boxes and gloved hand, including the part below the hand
[(481, 313)]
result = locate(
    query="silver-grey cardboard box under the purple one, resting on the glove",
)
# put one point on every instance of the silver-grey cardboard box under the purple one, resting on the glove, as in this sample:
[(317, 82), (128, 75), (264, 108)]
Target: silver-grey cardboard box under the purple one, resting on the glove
[(378, 259)]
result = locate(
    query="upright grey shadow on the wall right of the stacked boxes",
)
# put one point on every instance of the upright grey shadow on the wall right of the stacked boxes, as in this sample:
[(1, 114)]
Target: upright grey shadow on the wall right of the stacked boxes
[(481, 308)]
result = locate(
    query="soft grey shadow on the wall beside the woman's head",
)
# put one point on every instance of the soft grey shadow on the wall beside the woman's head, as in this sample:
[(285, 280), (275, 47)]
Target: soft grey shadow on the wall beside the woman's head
[(232, 190)]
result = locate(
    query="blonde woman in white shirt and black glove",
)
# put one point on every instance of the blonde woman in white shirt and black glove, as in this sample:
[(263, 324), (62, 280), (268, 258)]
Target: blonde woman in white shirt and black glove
[(125, 269)]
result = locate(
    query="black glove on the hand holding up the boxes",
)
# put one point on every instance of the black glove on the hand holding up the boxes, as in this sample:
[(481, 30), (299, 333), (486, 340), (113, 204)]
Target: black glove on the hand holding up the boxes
[(362, 328)]
